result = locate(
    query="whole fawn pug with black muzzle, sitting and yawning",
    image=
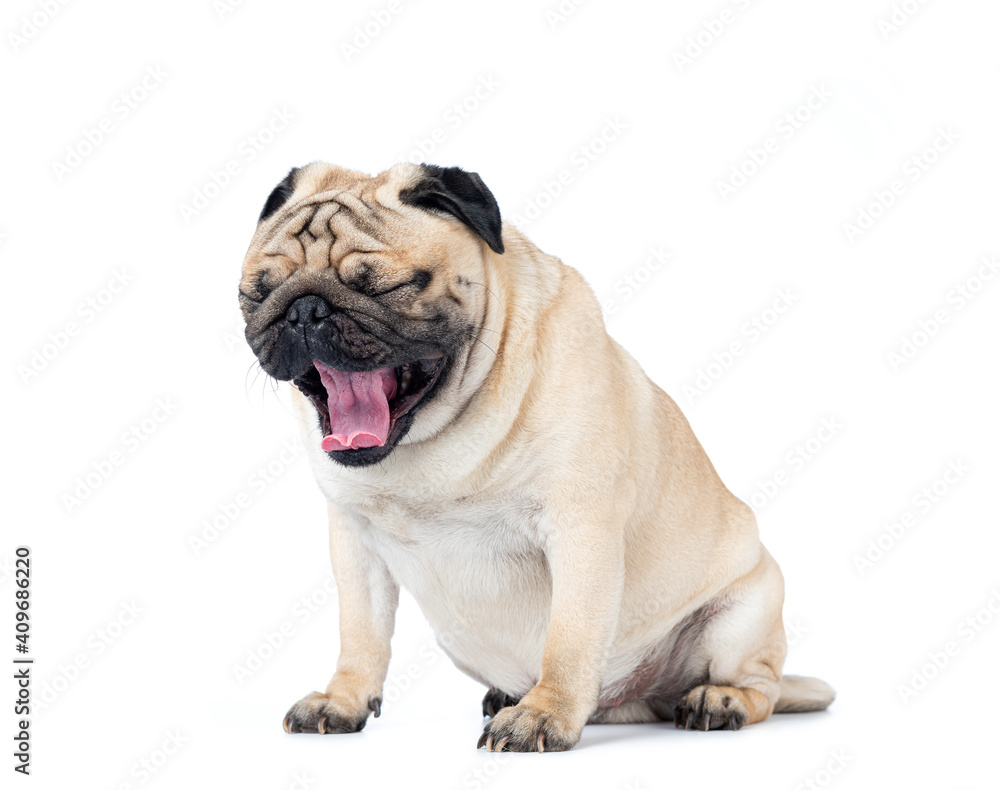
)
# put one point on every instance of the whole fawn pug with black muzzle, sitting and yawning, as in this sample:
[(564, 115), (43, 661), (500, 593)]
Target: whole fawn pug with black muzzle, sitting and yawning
[(485, 444)]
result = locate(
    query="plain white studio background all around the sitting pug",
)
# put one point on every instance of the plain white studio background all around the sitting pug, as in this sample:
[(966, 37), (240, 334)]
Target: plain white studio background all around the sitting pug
[(73, 217)]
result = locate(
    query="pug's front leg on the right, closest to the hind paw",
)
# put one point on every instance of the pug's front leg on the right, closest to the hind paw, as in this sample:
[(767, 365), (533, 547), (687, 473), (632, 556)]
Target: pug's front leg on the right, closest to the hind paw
[(586, 560)]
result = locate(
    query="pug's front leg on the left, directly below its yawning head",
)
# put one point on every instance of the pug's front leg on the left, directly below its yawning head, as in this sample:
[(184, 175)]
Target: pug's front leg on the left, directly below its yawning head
[(368, 597)]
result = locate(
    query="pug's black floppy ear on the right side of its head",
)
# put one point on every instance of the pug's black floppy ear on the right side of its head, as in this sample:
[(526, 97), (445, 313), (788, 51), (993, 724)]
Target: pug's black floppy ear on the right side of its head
[(461, 194)]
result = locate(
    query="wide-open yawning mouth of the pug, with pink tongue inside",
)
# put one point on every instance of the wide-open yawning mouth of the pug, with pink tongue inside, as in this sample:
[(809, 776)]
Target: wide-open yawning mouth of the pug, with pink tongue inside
[(363, 410)]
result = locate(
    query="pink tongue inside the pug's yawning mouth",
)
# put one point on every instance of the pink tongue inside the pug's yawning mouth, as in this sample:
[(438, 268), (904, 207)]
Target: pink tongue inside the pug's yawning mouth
[(359, 407)]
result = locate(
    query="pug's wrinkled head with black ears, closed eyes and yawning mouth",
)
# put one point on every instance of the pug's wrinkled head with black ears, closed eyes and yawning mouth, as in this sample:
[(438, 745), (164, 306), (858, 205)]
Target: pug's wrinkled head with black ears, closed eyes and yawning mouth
[(368, 292)]
